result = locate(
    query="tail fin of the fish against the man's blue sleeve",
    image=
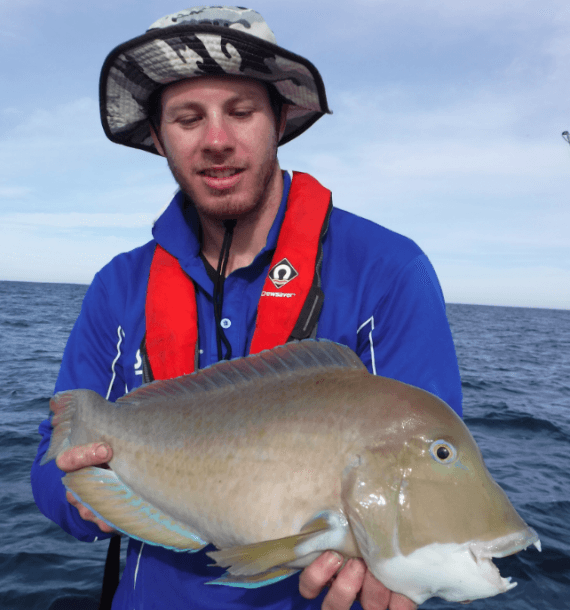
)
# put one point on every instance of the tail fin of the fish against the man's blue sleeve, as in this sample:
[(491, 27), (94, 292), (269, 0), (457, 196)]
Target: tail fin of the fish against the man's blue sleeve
[(65, 406)]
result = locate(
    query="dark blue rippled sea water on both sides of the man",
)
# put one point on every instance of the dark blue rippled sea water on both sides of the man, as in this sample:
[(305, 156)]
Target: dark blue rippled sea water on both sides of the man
[(515, 368)]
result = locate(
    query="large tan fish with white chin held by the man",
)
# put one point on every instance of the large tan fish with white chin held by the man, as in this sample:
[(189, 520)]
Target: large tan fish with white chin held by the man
[(276, 457)]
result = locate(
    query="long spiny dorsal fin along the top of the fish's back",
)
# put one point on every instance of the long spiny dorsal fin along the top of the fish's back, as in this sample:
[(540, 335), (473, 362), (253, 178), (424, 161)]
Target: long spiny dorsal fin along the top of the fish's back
[(309, 356)]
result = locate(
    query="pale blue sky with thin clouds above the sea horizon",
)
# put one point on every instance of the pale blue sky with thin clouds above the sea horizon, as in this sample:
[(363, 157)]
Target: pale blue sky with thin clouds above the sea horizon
[(446, 127)]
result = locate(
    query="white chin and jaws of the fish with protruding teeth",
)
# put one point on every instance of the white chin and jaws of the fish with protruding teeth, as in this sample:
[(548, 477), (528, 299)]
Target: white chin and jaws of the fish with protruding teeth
[(454, 572)]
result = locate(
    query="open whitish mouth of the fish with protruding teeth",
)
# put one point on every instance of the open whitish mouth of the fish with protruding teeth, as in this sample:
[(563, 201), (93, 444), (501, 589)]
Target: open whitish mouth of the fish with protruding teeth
[(484, 552)]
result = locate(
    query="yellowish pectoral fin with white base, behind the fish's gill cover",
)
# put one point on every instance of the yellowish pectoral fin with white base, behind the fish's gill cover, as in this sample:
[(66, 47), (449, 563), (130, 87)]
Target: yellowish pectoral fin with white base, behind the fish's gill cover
[(327, 531)]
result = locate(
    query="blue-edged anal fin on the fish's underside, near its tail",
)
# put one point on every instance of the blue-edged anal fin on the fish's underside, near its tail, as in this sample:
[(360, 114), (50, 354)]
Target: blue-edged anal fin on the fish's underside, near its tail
[(119, 506)]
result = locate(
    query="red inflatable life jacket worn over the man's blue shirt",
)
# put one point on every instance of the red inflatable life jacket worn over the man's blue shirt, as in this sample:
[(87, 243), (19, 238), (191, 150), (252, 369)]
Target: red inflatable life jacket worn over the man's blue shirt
[(285, 311)]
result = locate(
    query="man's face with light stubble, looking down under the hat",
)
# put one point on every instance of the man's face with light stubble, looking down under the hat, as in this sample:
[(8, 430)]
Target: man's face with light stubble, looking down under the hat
[(220, 137)]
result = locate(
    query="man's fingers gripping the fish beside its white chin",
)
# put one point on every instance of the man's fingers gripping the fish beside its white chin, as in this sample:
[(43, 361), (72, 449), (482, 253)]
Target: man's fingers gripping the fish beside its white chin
[(353, 581)]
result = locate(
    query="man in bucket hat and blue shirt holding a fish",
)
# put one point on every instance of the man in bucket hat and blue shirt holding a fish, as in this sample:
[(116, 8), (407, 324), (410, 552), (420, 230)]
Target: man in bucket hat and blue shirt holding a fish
[(245, 257)]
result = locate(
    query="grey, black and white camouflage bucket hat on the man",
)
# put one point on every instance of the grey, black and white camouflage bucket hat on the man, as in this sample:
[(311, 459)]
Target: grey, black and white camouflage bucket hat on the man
[(198, 42)]
